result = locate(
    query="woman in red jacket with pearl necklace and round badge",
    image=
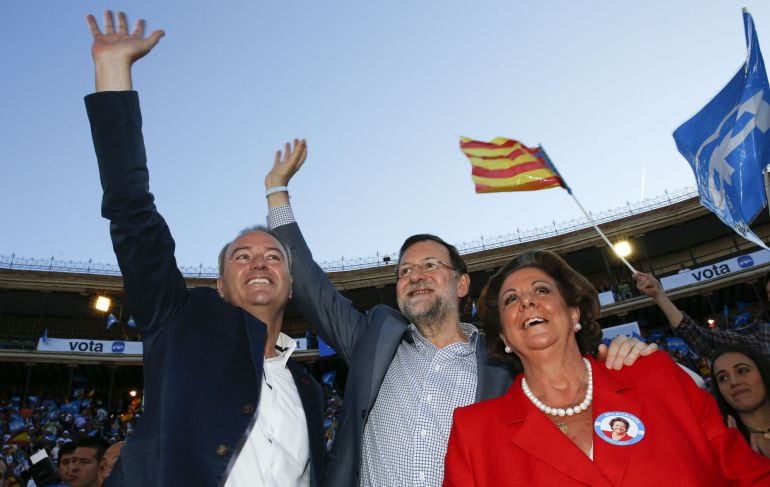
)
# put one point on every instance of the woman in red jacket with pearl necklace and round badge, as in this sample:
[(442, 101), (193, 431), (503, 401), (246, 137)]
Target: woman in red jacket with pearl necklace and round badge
[(538, 315)]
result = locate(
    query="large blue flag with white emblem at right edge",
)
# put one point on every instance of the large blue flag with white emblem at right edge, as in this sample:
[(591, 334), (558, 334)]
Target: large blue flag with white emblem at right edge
[(727, 143)]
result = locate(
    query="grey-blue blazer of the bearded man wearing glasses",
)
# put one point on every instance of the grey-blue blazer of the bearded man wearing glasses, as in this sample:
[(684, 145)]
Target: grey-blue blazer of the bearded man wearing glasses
[(367, 343)]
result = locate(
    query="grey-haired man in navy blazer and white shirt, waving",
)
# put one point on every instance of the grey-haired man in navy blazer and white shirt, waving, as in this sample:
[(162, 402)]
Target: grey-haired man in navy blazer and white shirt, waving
[(224, 404)]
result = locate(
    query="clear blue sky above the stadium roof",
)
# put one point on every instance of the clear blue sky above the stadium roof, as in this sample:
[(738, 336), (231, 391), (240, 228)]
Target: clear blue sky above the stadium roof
[(382, 91)]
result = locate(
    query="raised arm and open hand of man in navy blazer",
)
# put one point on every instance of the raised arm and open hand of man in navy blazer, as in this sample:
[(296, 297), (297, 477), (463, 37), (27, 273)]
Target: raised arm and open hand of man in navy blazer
[(155, 288)]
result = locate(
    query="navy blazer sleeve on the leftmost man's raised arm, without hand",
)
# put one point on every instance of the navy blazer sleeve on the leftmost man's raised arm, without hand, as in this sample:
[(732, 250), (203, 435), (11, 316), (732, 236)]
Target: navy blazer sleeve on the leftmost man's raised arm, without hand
[(154, 286)]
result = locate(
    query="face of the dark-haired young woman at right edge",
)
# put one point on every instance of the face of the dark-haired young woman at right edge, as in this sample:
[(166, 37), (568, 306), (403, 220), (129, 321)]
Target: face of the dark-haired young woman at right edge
[(740, 382)]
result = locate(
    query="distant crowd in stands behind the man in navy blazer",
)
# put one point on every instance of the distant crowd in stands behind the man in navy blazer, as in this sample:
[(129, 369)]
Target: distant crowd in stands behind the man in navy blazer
[(59, 427)]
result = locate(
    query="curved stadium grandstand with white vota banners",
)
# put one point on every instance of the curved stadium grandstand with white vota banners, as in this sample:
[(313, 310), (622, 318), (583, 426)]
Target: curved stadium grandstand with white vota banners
[(56, 346)]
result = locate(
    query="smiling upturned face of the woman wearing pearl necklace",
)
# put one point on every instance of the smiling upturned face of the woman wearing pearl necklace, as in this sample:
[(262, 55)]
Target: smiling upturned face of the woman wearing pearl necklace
[(533, 314)]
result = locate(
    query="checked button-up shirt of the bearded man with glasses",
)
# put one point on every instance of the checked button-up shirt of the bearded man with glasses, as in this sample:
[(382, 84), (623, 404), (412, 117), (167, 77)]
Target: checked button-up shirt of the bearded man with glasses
[(406, 435)]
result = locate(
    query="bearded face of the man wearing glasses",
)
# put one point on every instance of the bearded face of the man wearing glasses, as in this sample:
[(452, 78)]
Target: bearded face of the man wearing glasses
[(432, 296)]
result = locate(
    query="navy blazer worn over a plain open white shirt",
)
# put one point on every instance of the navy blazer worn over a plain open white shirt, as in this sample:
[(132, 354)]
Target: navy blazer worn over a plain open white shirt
[(202, 356)]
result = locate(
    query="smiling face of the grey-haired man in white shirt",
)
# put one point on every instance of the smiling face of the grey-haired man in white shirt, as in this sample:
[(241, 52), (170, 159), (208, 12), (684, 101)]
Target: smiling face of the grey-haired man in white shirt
[(255, 272)]
